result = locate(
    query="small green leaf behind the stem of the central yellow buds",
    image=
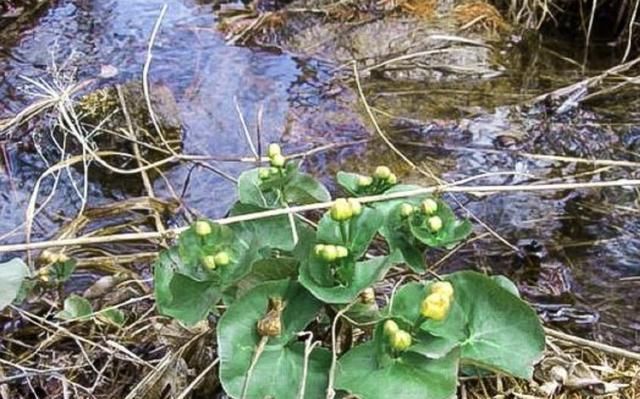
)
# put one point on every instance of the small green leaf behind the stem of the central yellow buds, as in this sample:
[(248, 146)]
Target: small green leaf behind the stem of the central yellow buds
[(361, 230)]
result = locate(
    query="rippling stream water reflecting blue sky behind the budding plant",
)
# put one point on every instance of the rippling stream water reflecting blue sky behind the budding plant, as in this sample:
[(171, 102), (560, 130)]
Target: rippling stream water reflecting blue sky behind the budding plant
[(591, 238)]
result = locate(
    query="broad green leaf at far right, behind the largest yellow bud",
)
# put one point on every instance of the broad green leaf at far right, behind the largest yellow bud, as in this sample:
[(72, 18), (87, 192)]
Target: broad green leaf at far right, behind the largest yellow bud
[(495, 329)]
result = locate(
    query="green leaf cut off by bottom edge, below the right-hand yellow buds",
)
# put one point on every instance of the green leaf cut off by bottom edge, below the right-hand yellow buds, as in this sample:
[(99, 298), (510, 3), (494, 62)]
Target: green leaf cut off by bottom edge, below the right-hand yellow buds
[(410, 376)]
